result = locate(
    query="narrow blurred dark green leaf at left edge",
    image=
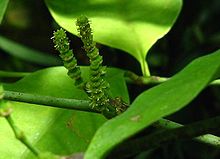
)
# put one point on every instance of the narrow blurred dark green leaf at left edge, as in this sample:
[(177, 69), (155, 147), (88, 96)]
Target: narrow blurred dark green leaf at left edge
[(26, 53)]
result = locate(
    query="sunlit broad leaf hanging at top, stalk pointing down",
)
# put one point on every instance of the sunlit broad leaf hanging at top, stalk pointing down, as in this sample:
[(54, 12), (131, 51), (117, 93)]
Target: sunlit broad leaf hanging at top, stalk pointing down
[(130, 25)]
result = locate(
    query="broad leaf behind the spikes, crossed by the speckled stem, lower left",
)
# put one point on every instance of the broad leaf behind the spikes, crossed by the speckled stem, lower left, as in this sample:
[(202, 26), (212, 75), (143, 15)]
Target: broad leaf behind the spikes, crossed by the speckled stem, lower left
[(50, 129)]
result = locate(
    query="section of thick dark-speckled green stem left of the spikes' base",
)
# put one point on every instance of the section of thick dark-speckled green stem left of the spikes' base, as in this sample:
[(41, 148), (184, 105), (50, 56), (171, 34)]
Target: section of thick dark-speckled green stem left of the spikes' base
[(75, 104)]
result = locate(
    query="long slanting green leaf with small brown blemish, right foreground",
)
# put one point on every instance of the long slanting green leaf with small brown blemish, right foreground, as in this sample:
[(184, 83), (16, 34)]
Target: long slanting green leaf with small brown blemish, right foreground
[(156, 103)]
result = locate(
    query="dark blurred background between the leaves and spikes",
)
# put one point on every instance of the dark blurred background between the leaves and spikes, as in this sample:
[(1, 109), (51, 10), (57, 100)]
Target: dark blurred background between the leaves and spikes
[(195, 33)]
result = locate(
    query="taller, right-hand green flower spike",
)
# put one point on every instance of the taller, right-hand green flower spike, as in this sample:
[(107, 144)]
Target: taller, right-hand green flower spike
[(97, 87)]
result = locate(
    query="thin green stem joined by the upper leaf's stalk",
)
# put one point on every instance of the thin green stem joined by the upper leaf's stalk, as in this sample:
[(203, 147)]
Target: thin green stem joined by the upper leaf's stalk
[(141, 80)]
